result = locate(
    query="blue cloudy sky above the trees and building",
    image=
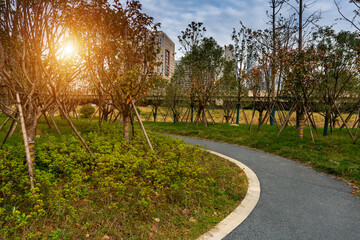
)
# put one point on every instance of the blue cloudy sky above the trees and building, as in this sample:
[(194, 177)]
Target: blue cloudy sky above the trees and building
[(221, 16)]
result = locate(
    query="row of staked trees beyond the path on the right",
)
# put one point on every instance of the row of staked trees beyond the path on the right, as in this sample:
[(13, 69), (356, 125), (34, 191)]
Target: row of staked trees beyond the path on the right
[(294, 62)]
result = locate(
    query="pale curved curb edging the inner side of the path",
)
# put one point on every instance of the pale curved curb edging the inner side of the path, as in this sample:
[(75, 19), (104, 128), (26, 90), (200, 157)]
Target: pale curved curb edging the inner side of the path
[(235, 218)]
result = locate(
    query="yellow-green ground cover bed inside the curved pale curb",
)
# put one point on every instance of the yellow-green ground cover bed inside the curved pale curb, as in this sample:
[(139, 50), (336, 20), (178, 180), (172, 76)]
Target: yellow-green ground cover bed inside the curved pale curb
[(122, 191)]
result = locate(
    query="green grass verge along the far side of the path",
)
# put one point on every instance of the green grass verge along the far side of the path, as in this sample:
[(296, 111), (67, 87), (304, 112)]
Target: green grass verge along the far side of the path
[(335, 155)]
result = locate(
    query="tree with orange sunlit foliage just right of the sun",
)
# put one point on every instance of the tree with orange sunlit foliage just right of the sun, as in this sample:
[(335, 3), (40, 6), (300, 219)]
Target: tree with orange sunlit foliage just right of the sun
[(120, 52)]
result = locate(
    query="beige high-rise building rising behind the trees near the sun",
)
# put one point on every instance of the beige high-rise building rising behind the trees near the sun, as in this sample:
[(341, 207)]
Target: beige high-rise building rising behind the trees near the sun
[(166, 55)]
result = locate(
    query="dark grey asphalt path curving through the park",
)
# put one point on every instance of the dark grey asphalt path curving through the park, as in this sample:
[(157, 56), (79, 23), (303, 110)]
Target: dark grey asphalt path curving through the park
[(296, 202)]
